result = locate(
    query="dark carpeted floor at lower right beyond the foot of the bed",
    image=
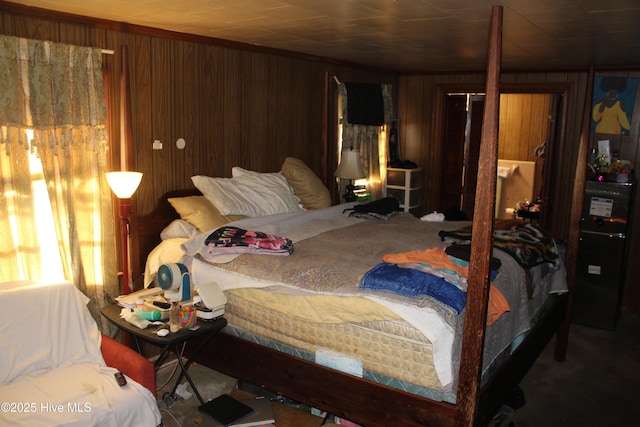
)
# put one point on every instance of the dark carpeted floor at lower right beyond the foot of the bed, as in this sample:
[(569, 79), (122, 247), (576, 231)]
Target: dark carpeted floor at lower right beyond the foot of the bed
[(595, 386)]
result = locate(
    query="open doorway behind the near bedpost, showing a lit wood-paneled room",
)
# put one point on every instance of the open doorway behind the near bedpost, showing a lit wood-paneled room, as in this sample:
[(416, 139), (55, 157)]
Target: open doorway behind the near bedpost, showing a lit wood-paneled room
[(528, 129)]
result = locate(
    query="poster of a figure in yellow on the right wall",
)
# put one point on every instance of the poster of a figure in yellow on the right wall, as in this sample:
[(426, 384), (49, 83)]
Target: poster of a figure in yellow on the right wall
[(613, 100)]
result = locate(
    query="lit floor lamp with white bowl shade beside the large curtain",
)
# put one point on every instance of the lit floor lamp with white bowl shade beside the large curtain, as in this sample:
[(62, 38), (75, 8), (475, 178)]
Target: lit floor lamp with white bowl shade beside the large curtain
[(124, 184)]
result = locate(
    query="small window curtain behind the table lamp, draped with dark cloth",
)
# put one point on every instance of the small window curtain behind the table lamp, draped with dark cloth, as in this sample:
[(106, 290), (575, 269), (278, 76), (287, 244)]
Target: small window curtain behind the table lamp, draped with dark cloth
[(368, 139)]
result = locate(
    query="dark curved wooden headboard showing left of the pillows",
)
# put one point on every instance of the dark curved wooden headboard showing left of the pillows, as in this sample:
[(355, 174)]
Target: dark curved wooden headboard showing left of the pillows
[(145, 232)]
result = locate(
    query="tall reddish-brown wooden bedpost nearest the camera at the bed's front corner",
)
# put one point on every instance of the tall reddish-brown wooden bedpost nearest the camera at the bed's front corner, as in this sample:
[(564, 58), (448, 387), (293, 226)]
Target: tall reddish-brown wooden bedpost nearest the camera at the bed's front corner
[(482, 242)]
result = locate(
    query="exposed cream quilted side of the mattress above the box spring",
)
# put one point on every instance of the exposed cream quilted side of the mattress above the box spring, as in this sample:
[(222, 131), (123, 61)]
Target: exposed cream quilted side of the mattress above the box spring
[(388, 347)]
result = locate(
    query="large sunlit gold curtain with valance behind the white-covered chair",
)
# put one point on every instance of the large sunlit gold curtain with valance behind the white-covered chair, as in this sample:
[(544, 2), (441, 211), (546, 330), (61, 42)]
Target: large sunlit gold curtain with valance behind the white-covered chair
[(52, 107)]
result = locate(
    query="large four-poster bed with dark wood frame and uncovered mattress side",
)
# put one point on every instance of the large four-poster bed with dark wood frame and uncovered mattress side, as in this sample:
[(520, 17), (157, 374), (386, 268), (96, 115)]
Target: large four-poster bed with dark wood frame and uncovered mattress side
[(391, 368)]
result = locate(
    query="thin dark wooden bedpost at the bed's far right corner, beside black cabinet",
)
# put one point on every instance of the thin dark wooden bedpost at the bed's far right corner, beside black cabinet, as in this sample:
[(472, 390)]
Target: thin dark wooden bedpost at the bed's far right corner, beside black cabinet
[(577, 199)]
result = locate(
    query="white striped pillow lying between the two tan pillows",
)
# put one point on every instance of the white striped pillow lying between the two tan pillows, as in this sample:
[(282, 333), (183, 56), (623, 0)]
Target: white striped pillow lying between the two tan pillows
[(250, 194)]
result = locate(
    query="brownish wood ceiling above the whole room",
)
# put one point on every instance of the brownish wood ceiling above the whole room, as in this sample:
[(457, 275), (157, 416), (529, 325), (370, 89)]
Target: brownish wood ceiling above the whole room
[(402, 35)]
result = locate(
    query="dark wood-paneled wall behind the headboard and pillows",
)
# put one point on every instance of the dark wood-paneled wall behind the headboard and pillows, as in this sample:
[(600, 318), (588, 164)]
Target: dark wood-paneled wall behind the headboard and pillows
[(235, 105)]
